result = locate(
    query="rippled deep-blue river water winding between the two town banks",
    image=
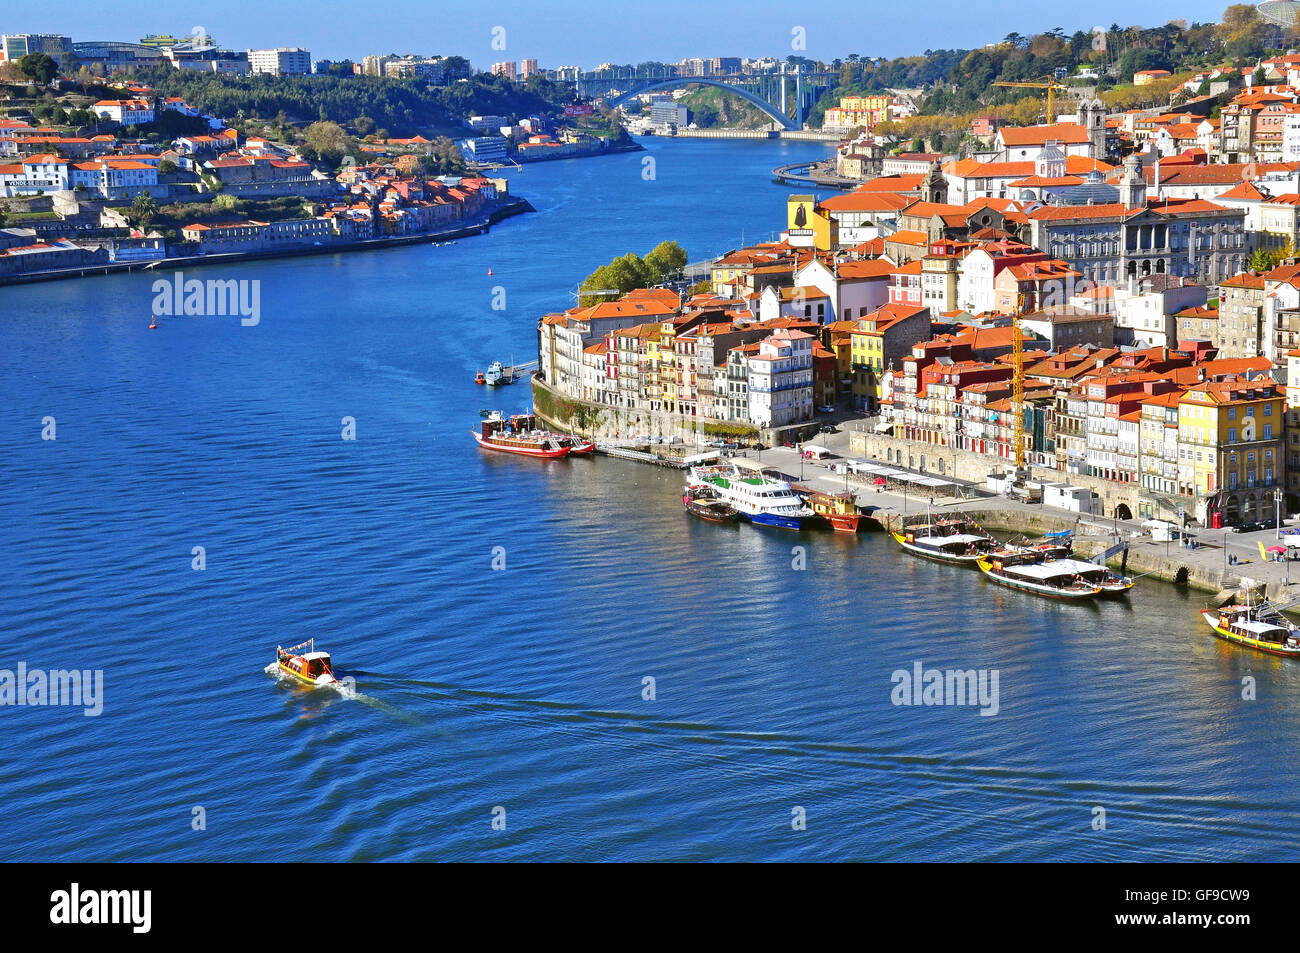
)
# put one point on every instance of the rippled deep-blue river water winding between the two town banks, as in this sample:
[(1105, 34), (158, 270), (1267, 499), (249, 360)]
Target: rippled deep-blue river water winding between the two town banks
[(522, 688)]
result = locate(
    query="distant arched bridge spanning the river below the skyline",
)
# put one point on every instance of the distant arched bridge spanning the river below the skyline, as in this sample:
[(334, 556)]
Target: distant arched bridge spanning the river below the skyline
[(786, 97)]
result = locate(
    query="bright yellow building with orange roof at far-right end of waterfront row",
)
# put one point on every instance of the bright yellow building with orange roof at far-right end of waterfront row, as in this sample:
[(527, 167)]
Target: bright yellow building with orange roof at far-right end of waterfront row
[(1230, 449)]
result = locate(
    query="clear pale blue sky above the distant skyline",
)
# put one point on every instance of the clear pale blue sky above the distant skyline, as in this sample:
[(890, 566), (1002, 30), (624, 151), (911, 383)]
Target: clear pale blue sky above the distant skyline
[(588, 32)]
